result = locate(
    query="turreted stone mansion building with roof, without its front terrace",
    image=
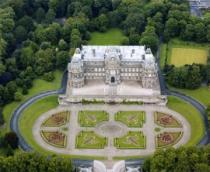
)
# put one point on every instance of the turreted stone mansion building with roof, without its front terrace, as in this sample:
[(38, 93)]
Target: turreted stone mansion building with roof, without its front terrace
[(112, 67)]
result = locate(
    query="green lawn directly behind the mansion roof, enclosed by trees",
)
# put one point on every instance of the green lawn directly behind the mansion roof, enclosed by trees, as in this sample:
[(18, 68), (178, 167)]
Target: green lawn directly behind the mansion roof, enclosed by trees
[(111, 37)]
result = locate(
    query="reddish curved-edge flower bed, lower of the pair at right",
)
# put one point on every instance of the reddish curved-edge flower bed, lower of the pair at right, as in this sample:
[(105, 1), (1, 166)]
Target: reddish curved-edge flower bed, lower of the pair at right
[(166, 139)]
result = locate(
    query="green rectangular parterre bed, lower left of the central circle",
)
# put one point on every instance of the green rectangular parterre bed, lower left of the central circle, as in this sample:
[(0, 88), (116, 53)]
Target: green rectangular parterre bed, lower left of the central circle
[(90, 140)]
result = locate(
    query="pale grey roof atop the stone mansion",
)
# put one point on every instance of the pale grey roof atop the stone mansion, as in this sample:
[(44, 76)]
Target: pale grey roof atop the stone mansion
[(128, 53)]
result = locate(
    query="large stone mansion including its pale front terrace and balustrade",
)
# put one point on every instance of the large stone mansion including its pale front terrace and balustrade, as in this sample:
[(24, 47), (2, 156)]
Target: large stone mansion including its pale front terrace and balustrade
[(113, 73)]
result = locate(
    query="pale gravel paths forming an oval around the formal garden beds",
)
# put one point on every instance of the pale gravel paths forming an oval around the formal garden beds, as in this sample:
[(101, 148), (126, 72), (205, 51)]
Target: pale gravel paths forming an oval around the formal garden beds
[(106, 128)]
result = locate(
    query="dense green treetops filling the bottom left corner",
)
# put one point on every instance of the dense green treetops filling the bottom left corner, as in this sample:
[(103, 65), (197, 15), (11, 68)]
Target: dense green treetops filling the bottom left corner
[(29, 162)]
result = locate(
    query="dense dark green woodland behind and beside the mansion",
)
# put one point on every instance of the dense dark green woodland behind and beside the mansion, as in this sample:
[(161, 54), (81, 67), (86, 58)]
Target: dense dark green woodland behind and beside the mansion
[(40, 35)]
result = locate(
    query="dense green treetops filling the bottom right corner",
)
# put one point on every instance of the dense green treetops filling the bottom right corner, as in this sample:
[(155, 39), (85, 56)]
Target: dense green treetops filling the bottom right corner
[(182, 159)]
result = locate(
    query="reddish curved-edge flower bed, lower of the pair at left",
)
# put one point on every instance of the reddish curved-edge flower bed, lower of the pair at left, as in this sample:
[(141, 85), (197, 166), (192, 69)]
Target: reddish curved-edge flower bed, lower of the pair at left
[(54, 138)]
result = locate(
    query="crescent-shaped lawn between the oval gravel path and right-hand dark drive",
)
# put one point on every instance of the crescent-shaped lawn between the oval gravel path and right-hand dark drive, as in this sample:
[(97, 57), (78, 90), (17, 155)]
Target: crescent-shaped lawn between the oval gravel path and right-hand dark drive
[(193, 117)]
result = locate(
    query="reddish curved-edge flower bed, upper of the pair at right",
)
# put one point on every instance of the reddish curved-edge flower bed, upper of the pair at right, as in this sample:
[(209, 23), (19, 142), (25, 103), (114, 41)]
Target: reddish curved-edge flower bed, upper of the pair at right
[(166, 120)]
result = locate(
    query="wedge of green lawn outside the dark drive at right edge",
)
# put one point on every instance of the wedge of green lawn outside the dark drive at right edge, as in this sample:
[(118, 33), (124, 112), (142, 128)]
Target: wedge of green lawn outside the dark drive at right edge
[(201, 94)]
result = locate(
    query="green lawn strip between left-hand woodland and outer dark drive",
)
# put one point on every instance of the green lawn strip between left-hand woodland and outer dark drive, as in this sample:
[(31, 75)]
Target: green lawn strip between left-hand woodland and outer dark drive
[(39, 85)]
